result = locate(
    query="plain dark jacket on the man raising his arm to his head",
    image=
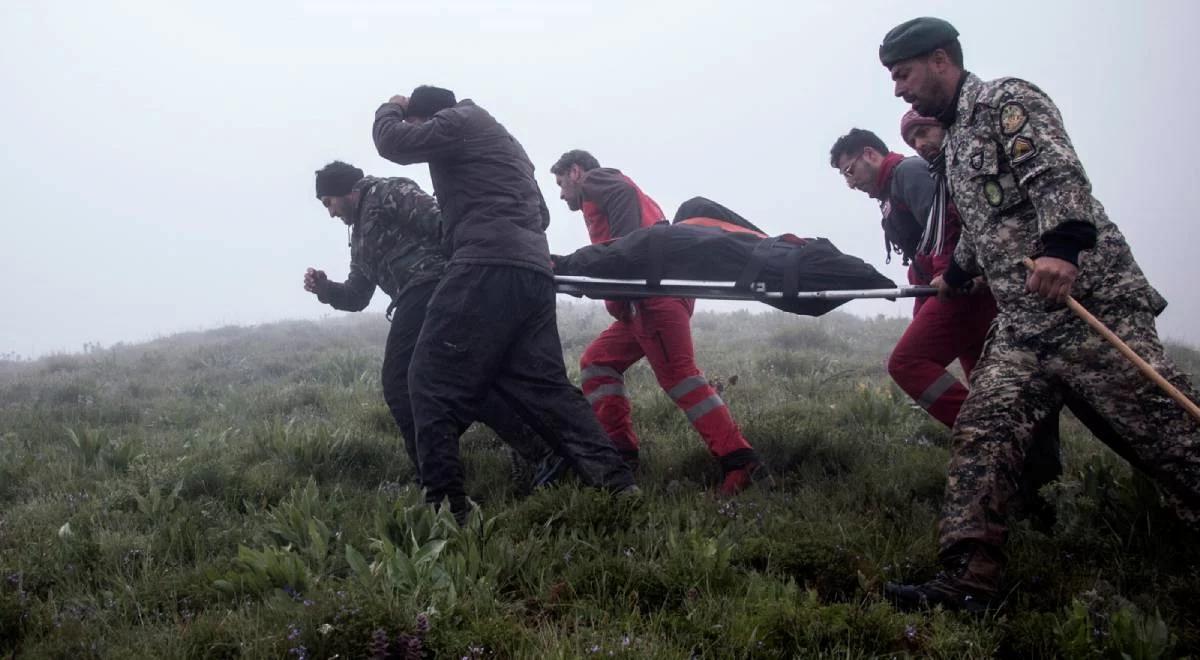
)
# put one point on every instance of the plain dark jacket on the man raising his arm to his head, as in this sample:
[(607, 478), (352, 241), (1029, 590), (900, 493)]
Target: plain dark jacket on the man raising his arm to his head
[(493, 209)]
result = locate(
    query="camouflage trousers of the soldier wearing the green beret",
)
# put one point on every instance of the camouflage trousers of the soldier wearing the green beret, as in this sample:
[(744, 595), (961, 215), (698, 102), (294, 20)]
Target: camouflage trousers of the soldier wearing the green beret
[(1015, 388)]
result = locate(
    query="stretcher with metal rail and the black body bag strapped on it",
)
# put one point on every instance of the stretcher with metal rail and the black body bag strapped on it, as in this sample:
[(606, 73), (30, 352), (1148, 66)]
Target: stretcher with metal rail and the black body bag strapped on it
[(712, 253)]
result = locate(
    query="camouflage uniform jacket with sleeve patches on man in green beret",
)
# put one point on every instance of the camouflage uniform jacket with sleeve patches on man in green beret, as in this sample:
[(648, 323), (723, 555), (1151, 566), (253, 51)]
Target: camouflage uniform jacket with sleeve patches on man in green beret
[(1015, 177)]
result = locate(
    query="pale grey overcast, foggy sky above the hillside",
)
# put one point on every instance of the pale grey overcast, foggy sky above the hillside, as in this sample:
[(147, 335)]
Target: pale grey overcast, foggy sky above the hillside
[(159, 157)]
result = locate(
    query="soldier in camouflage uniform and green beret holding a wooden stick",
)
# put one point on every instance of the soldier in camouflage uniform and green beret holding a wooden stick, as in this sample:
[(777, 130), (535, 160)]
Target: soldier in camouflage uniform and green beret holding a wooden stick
[(1022, 193)]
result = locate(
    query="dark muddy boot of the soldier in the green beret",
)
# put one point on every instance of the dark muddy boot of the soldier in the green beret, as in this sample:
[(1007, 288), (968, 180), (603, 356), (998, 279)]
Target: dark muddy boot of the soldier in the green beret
[(969, 581)]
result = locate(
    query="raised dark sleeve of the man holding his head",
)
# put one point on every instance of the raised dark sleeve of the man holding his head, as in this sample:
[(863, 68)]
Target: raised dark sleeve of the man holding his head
[(417, 143)]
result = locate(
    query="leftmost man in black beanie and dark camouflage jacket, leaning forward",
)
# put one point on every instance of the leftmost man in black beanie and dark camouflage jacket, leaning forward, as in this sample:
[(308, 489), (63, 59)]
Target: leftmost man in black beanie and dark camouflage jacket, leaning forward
[(395, 245)]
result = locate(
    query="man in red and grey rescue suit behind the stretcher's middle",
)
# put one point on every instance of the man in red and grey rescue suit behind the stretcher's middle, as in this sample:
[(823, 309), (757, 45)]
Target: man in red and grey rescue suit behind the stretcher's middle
[(656, 328)]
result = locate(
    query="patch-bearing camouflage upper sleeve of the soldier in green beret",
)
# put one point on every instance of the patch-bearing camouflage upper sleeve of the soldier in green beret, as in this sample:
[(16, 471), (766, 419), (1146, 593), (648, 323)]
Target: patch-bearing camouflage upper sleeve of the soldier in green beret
[(1040, 153)]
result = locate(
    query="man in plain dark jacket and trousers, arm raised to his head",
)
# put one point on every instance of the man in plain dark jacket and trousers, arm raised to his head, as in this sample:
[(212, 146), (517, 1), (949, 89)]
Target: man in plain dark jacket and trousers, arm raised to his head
[(493, 321)]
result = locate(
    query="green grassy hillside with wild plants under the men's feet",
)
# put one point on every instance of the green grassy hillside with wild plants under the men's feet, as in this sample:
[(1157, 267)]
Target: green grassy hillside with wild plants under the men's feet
[(244, 494)]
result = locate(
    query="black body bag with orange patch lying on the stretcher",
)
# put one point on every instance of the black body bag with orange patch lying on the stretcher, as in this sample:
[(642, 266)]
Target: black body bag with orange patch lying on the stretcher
[(728, 248)]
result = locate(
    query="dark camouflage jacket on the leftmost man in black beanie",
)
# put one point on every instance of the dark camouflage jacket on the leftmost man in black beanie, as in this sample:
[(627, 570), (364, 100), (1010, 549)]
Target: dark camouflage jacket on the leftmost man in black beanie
[(395, 244)]
